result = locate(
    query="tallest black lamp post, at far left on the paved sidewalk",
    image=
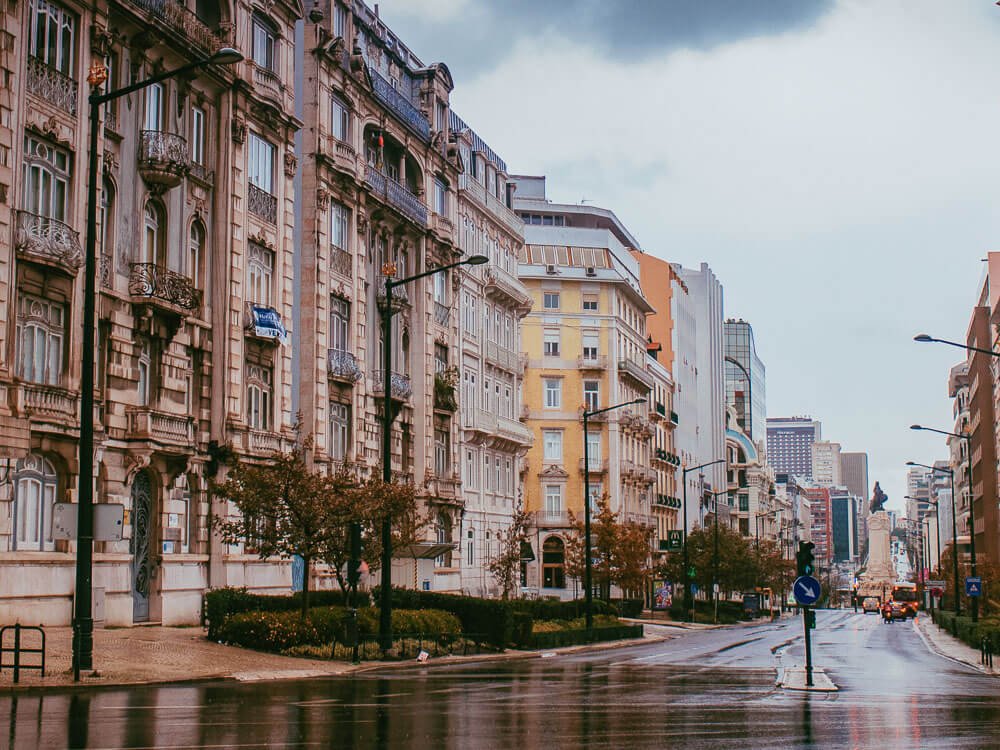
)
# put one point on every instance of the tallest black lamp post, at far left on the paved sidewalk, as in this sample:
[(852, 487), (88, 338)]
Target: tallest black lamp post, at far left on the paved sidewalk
[(83, 619)]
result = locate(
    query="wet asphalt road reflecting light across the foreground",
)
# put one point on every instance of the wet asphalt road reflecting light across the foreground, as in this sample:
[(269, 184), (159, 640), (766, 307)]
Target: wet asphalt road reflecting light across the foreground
[(709, 689)]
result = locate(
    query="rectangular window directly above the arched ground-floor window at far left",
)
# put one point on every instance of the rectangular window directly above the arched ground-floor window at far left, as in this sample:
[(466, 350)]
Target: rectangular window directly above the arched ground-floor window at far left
[(40, 336)]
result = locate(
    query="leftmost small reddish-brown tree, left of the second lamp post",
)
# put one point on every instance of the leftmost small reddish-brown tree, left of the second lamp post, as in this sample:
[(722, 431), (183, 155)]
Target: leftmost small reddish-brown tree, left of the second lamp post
[(283, 509)]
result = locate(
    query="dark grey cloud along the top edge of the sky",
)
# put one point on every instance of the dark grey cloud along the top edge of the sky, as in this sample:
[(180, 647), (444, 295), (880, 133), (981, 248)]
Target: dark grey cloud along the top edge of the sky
[(625, 30)]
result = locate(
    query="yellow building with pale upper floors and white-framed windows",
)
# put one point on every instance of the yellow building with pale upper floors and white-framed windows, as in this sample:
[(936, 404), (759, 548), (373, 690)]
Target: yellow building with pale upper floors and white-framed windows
[(585, 343)]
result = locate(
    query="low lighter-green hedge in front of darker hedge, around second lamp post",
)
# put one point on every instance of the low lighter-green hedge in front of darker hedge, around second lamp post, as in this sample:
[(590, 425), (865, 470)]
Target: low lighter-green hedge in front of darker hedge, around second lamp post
[(281, 631)]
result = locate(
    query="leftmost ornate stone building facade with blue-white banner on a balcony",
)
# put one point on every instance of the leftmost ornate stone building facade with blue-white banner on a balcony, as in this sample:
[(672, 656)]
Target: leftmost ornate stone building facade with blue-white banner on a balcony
[(195, 280)]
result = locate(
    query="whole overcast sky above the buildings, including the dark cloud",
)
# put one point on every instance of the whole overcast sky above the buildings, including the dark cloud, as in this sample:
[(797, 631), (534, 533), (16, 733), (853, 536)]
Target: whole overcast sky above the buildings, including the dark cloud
[(836, 162)]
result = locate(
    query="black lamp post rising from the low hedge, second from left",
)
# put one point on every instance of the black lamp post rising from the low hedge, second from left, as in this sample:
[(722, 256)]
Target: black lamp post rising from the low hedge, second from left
[(389, 270)]
